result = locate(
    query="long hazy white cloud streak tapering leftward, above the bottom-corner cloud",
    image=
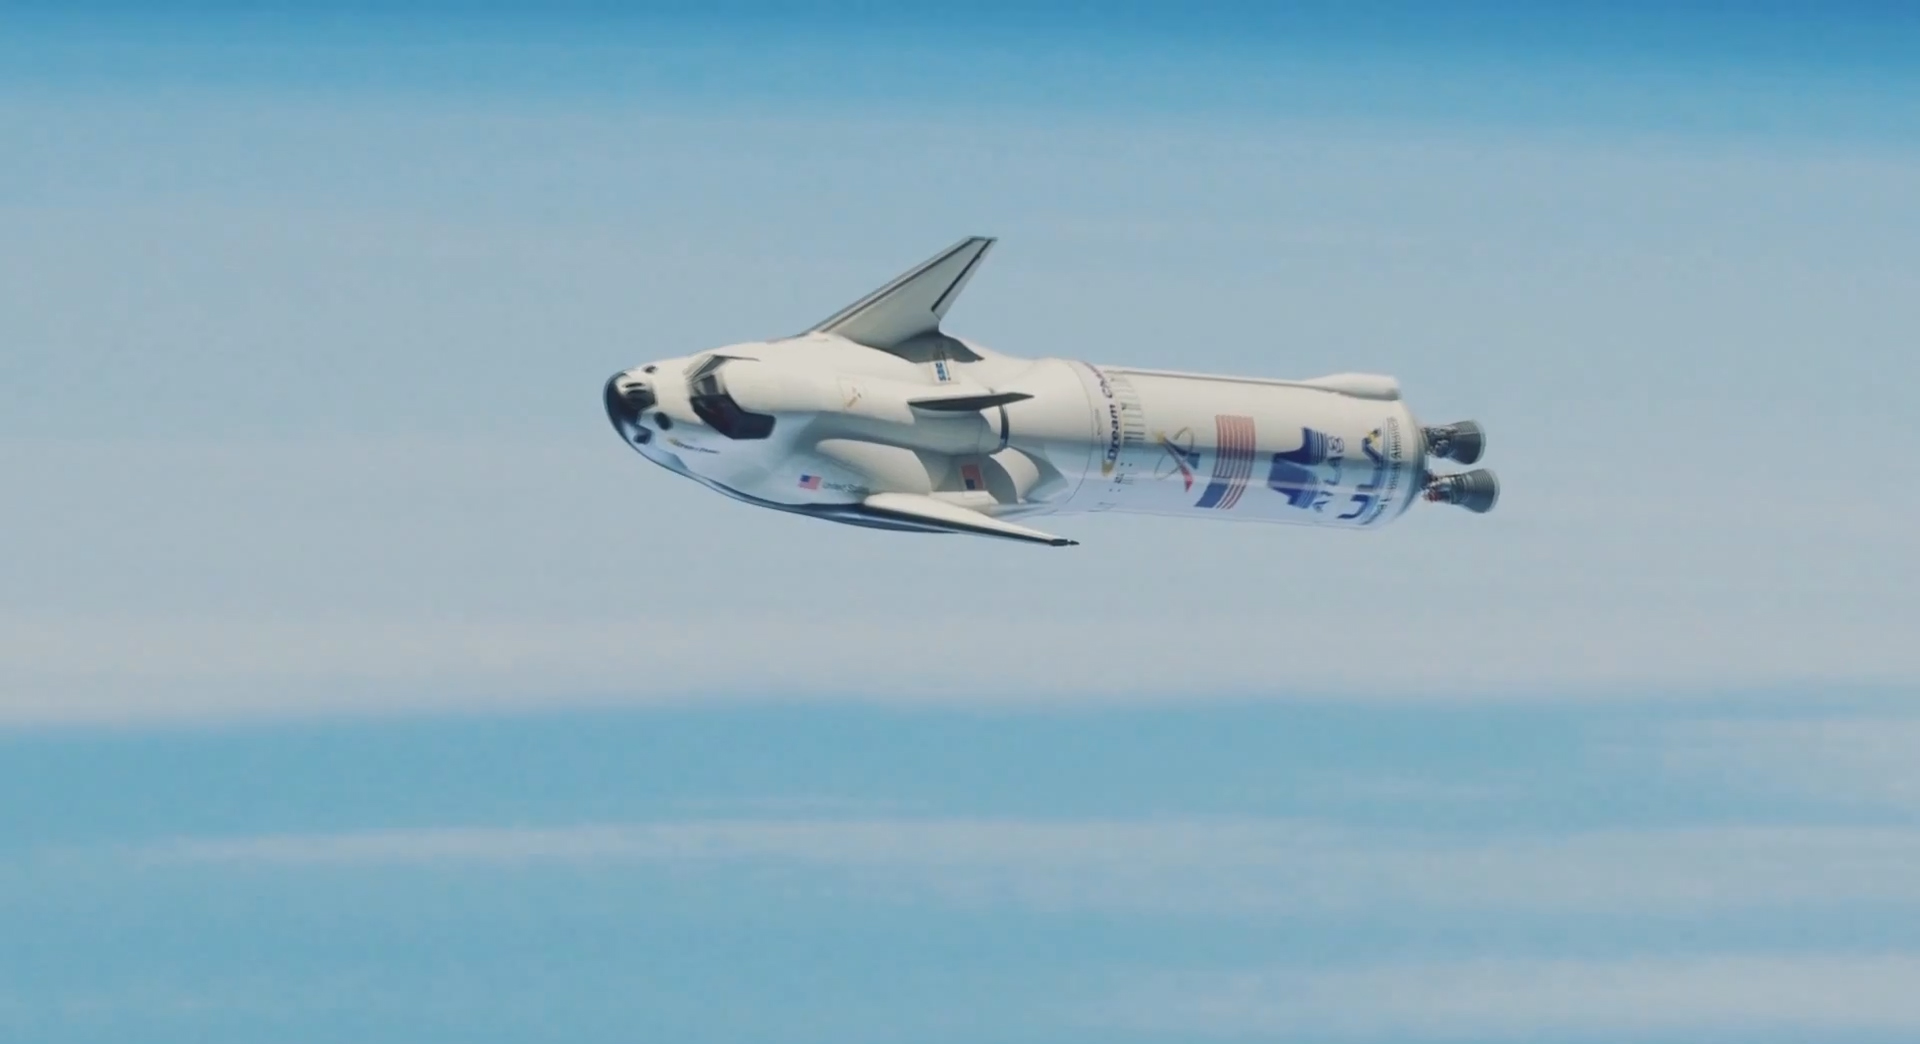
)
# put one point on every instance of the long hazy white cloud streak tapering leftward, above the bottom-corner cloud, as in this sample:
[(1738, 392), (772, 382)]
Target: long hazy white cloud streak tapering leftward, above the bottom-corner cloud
[(1224, 866)]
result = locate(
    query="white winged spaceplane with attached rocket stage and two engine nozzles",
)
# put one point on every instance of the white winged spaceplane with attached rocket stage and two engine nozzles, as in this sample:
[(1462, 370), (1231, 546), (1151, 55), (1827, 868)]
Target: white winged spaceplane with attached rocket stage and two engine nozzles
[(876, 417)]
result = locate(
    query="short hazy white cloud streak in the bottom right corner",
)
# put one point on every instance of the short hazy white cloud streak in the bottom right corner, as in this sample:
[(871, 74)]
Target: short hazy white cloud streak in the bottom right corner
[(1669, 997)]
